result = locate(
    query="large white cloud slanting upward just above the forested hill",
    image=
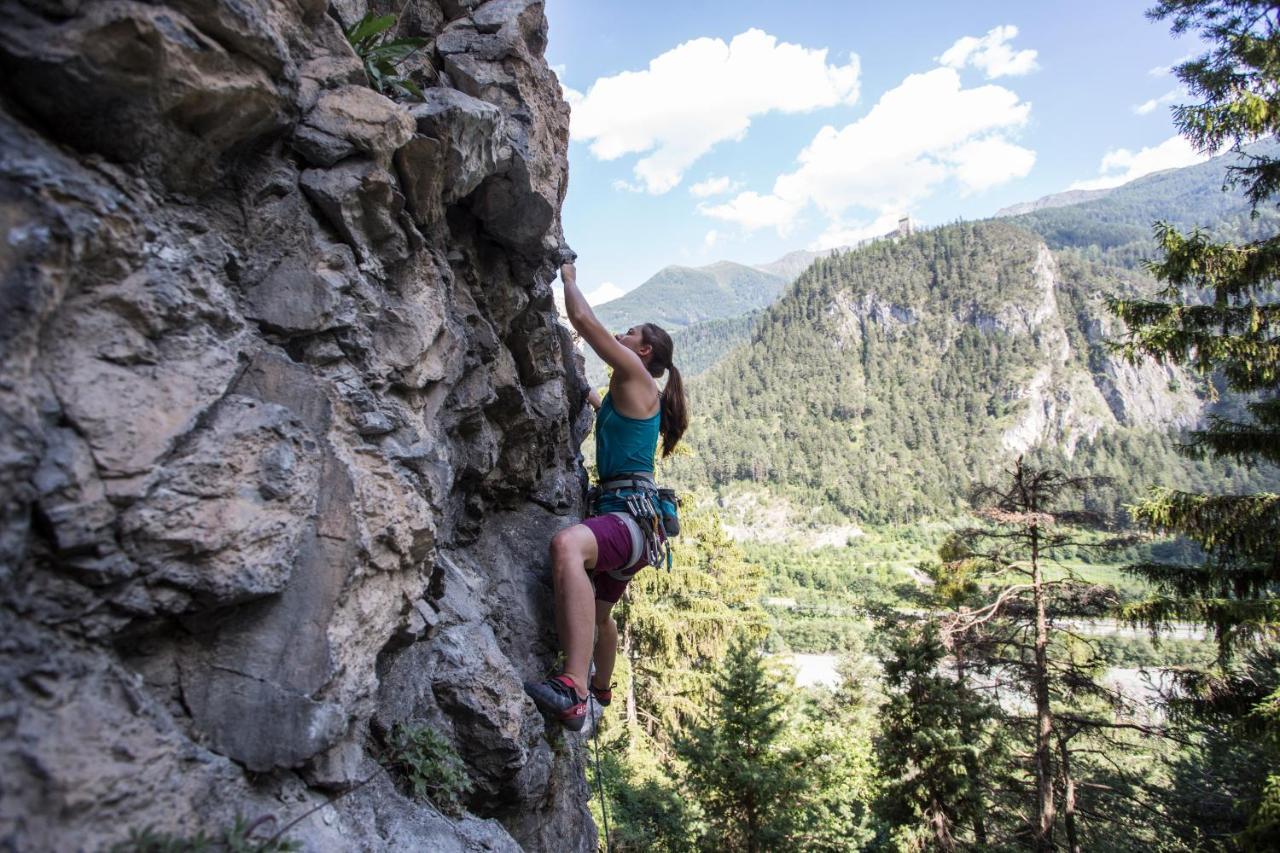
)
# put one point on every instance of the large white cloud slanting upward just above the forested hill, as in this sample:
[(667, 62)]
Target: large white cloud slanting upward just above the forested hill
[(921, 134)]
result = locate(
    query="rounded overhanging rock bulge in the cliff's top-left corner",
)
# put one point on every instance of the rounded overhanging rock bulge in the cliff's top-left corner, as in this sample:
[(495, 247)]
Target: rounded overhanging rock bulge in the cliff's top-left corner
[(177, 97)]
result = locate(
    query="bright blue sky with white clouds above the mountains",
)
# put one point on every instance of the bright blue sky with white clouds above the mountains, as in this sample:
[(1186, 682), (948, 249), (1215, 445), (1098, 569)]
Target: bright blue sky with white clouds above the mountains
[(742, 131)]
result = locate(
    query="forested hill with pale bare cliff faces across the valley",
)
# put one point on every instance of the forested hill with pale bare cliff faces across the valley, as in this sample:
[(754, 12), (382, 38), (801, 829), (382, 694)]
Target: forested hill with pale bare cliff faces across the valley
[(889, 378)]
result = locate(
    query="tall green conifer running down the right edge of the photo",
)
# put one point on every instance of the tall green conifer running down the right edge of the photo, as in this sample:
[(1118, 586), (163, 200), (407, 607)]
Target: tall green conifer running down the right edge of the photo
[(1220, 314)]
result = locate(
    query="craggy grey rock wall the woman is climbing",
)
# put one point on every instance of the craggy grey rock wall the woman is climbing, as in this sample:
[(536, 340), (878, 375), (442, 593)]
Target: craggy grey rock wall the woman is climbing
[(286, 423)]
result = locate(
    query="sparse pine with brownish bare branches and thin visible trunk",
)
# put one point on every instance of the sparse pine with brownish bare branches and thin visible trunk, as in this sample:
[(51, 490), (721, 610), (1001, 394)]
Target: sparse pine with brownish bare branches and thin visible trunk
[(1011, 626)]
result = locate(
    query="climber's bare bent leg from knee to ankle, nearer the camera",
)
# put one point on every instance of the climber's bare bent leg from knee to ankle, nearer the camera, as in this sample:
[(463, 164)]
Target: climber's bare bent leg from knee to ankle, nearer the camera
[(573, 553)]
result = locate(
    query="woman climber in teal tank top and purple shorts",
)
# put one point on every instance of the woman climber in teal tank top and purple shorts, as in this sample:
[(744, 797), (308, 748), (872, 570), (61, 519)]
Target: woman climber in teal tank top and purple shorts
[(593, 562)]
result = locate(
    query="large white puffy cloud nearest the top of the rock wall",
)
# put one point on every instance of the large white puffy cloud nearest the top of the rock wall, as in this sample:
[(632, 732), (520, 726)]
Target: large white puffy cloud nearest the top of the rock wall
[(701, 94)]
